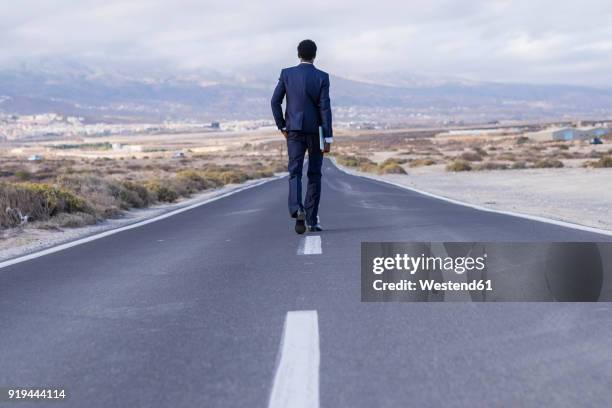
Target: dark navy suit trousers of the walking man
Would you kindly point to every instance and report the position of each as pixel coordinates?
(297, 145)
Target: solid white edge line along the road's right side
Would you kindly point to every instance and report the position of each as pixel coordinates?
(479, 207)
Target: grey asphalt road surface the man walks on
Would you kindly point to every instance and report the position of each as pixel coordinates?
(189, 311)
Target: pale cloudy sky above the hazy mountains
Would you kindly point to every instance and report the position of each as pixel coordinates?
(537, 41)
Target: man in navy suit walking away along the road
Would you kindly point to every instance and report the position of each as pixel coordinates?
(308, 108)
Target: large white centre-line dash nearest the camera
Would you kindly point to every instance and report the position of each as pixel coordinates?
(296, 381)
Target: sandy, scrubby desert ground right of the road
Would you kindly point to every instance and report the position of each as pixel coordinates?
(568, 180)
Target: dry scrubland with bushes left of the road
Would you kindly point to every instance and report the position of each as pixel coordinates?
(70, 183)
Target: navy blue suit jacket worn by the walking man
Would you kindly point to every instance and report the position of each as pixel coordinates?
(308, 105)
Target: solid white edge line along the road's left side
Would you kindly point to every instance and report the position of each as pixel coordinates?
(84, 240)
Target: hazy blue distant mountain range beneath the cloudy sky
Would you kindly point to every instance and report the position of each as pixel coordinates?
(158, 93)
